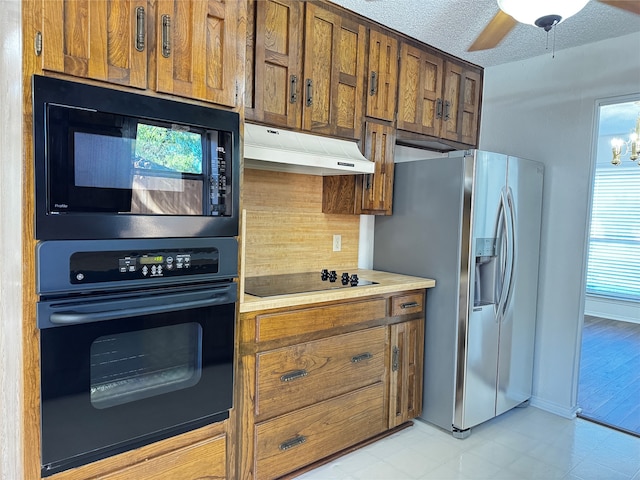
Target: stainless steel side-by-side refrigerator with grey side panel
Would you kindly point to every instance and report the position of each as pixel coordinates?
(471, 221)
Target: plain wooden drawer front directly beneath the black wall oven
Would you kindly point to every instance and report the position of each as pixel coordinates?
(205, 459)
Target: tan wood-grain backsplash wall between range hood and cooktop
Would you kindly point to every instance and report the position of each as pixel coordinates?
(285, 229)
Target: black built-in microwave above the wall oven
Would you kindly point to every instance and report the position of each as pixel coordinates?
(113, 164)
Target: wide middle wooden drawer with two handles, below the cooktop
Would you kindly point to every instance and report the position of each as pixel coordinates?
(294, 377)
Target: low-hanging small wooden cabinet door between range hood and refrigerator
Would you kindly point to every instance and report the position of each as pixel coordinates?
(376, 190)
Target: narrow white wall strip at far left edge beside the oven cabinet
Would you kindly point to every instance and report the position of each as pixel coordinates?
(10, 240)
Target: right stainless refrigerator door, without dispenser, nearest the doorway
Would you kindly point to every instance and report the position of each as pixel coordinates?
(517, 329)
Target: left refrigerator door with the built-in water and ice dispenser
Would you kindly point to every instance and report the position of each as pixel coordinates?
(478, 360)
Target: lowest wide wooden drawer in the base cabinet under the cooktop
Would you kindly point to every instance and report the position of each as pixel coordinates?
(291, 441)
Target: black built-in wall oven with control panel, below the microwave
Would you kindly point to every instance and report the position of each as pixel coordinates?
(136, 340)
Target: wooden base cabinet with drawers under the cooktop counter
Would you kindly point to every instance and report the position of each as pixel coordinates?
(308, 393)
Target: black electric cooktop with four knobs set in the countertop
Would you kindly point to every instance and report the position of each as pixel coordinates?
(270, 285)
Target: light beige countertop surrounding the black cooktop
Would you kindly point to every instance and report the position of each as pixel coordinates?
(386, 283)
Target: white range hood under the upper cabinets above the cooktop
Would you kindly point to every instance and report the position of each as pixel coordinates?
(268, 148)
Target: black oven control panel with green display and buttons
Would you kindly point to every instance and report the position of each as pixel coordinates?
(99, 266)
